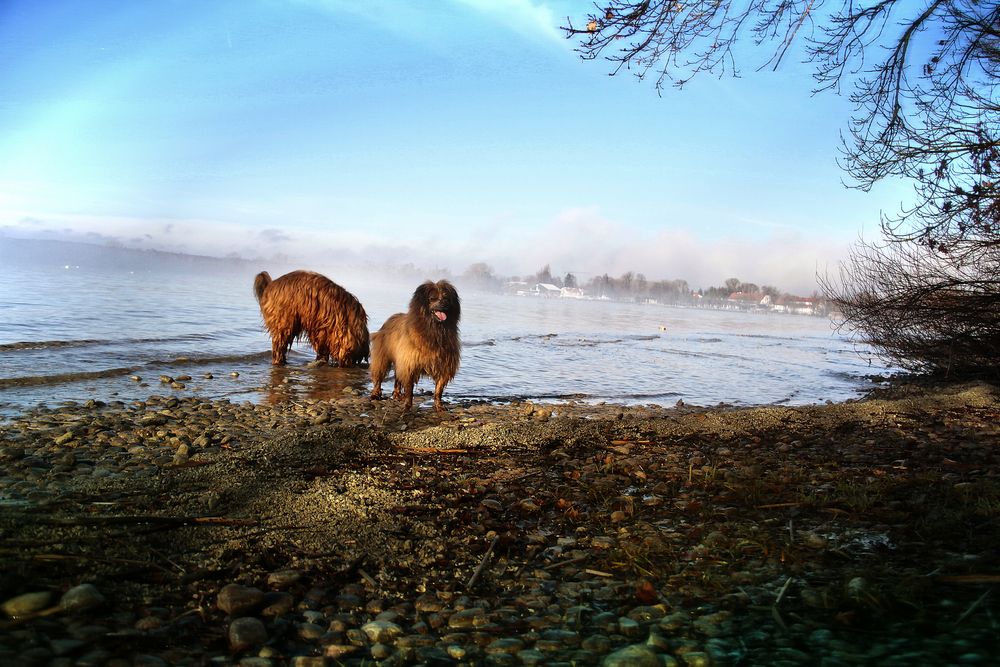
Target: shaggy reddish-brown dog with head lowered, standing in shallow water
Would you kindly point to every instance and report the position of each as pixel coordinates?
(304, 303)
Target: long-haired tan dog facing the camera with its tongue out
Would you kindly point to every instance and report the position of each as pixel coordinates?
(422, 341)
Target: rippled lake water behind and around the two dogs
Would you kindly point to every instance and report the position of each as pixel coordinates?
(77, 322)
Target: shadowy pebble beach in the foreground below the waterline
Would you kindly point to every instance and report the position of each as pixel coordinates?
(185, 531)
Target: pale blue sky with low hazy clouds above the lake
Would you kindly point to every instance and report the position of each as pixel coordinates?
(439, 134)
